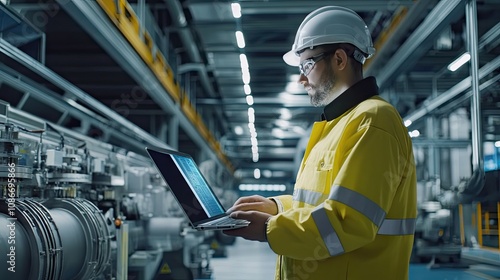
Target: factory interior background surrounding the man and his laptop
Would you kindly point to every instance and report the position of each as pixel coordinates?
(85, 86)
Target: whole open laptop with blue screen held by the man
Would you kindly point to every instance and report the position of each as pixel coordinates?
(196, 198)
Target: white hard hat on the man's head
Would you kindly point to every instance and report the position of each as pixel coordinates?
(330, 25)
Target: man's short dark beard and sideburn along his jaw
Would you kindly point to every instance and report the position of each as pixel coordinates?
(322, 93)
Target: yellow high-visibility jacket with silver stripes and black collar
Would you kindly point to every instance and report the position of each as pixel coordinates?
(353, 209)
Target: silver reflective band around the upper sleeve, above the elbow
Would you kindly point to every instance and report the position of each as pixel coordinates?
(358, 202)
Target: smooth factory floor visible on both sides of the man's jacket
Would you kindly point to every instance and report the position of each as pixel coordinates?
(247, 260)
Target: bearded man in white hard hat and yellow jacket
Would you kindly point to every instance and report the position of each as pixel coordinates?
(353, 209)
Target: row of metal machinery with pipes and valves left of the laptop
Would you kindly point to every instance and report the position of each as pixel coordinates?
(72, 207)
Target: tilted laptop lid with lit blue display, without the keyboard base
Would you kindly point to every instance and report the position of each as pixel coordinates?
(188, 185)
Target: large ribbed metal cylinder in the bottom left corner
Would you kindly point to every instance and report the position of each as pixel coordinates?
(56, 239)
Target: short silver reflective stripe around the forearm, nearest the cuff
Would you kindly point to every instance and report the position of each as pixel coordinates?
(326, 230)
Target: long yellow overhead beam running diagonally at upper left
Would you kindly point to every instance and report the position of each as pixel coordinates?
(123, 16)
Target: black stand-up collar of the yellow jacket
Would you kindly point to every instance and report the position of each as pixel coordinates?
(354, 95)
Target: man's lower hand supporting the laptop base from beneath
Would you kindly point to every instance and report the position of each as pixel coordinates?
(255, 230)
